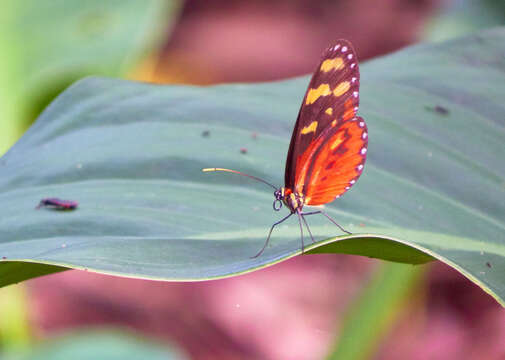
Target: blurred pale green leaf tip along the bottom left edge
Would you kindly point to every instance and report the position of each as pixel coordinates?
(96, 344)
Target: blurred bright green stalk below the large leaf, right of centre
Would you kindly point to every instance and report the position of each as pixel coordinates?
(372, 316)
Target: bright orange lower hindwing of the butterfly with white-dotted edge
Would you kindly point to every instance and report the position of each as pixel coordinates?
(332, 164)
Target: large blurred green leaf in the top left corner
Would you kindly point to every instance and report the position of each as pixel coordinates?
(47, 45)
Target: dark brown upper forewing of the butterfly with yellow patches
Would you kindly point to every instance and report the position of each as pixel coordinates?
(332, 95)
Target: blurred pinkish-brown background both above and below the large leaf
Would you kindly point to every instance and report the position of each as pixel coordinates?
(291, 310)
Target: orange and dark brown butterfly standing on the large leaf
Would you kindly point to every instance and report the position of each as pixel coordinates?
(328, 146)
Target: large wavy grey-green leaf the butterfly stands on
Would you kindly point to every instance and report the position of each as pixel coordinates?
(131, 154)
